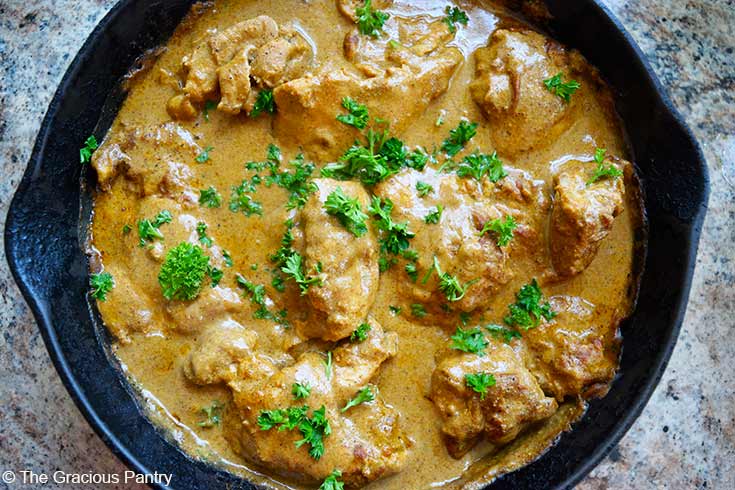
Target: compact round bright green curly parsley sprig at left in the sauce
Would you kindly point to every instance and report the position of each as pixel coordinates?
(183, 271)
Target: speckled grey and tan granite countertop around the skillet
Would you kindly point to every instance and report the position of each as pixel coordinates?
(685, 438)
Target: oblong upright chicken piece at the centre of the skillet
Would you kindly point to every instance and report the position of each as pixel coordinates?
(349, 265)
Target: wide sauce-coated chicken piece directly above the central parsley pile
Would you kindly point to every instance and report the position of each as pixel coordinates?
(397, 93)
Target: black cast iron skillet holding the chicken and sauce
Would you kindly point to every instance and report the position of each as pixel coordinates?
(45, 230)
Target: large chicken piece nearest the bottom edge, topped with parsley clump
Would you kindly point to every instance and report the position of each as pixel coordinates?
(365, 442)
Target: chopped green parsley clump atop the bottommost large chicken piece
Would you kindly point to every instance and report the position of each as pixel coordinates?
(314, 428)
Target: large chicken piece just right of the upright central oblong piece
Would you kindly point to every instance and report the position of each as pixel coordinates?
(479, 264)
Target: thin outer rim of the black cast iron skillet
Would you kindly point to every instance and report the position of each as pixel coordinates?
(38, 306)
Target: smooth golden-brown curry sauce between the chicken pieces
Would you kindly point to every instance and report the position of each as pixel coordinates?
(153, 361)
